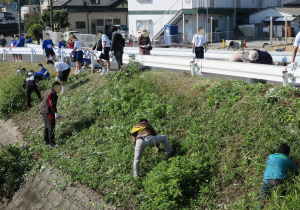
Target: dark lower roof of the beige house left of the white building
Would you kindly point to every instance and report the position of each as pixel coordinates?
(94, 9)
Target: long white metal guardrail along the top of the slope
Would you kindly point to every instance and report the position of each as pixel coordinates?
(266, 72)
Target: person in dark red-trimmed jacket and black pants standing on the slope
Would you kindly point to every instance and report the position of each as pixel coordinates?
(49, 112)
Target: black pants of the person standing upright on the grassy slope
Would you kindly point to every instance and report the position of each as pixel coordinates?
(49, 130)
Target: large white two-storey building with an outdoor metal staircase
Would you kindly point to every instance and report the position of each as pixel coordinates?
(191, 14)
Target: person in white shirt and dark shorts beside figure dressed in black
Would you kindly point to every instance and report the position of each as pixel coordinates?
(105, 53)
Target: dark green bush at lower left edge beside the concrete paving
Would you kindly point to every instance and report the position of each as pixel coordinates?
(14, 163)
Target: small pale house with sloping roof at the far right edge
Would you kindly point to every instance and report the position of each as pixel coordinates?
(261, 19)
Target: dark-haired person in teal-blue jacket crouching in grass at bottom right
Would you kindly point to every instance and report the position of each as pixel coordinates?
(276, 173)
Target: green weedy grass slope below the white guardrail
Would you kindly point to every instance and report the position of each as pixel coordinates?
(223, 132)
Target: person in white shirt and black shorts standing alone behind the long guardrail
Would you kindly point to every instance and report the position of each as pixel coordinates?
(199, 42)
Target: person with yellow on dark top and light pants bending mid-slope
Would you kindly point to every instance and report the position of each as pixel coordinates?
(143, 135)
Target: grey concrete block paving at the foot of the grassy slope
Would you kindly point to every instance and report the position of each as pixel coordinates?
(46, 189)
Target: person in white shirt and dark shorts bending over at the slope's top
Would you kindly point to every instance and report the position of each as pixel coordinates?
(63, 71)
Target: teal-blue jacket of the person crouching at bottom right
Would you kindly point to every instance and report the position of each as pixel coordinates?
(278, 166)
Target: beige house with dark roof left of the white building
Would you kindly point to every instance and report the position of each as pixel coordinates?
(88, 16)
